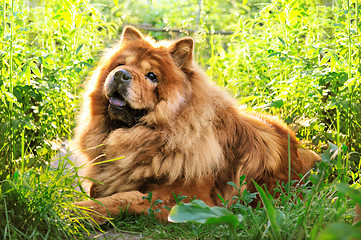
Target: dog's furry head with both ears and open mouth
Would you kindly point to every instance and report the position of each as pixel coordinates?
(144, 80)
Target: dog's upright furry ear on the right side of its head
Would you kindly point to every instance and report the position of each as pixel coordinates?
(182, 52)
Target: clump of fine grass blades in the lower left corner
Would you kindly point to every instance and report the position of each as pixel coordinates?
(35, 204)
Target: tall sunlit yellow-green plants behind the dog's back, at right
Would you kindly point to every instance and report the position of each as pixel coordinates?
(294, 58)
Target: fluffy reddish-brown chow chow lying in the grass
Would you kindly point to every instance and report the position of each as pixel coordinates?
(152, 121)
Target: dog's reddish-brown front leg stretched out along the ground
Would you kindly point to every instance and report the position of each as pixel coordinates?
(135, 202)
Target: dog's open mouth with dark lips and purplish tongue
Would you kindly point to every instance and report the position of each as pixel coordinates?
(120, 110)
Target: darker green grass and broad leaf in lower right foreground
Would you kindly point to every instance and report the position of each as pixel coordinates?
(284, 217)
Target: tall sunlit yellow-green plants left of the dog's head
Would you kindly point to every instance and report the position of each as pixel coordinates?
(42, 64)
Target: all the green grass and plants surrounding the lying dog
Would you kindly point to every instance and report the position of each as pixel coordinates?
(296, 59)
